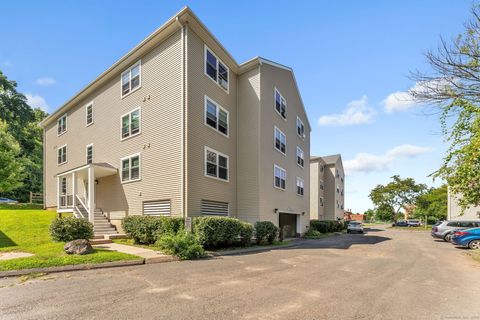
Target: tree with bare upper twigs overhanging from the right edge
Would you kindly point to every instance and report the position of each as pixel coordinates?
(453, 88)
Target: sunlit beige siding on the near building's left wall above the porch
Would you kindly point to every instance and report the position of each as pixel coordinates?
(159, 142)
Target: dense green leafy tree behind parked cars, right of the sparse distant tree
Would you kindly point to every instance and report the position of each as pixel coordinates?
(433, 203)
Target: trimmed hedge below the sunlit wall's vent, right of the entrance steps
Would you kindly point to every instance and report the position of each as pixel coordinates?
(147, 229)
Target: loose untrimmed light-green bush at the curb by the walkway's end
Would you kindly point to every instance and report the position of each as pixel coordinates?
(182, 244)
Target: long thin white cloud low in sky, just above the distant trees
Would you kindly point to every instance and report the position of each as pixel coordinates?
(367, 162)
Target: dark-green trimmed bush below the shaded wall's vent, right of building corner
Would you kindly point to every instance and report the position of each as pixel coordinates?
(217, 232)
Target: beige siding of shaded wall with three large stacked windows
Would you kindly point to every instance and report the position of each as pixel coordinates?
(199, 135)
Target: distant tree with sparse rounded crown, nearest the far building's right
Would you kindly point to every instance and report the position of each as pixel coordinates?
(394, 196)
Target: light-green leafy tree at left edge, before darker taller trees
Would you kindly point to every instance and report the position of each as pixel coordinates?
(11, 163)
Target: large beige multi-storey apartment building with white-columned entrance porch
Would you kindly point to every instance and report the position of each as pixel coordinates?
(178, 127)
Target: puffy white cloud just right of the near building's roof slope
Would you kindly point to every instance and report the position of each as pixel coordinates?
(356, 112)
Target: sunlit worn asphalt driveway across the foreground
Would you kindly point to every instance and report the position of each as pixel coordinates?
(385, 274)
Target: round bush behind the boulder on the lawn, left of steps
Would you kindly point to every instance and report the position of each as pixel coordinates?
(68, 229)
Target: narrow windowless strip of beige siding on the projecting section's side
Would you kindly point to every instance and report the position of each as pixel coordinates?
(248, 192)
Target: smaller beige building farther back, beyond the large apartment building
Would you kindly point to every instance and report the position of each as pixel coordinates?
(327, 187)
